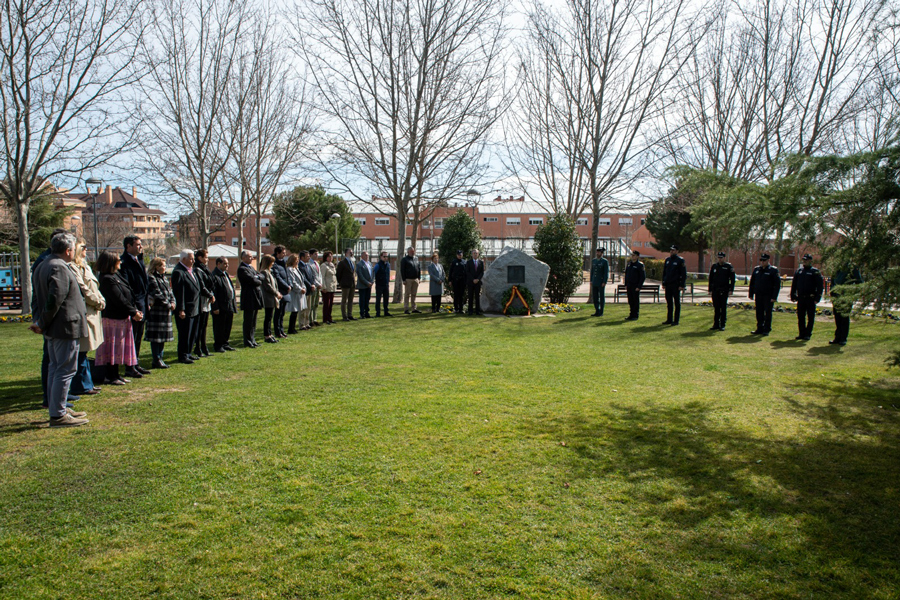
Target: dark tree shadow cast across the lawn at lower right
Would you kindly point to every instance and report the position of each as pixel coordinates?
(831, 498)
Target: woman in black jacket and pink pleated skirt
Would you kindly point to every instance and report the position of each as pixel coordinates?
(118, 338)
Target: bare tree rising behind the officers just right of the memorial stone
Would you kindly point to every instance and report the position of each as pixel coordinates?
(595, 73)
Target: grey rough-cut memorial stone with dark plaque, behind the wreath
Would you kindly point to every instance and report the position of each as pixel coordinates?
(513, 267)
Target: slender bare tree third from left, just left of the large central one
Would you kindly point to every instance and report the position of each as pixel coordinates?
(271, 117)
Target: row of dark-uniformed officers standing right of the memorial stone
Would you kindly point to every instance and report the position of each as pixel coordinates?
(807, 288)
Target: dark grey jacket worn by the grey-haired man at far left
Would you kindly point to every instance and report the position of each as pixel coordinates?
(59, 305)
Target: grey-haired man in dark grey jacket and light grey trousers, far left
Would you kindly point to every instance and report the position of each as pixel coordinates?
(59, 313)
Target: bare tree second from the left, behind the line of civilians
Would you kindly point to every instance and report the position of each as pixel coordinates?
(192, 56)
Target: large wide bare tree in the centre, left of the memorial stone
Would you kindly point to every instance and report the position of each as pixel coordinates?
(413, 87)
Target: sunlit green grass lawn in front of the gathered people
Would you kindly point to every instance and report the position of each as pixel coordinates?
(455, 457)
